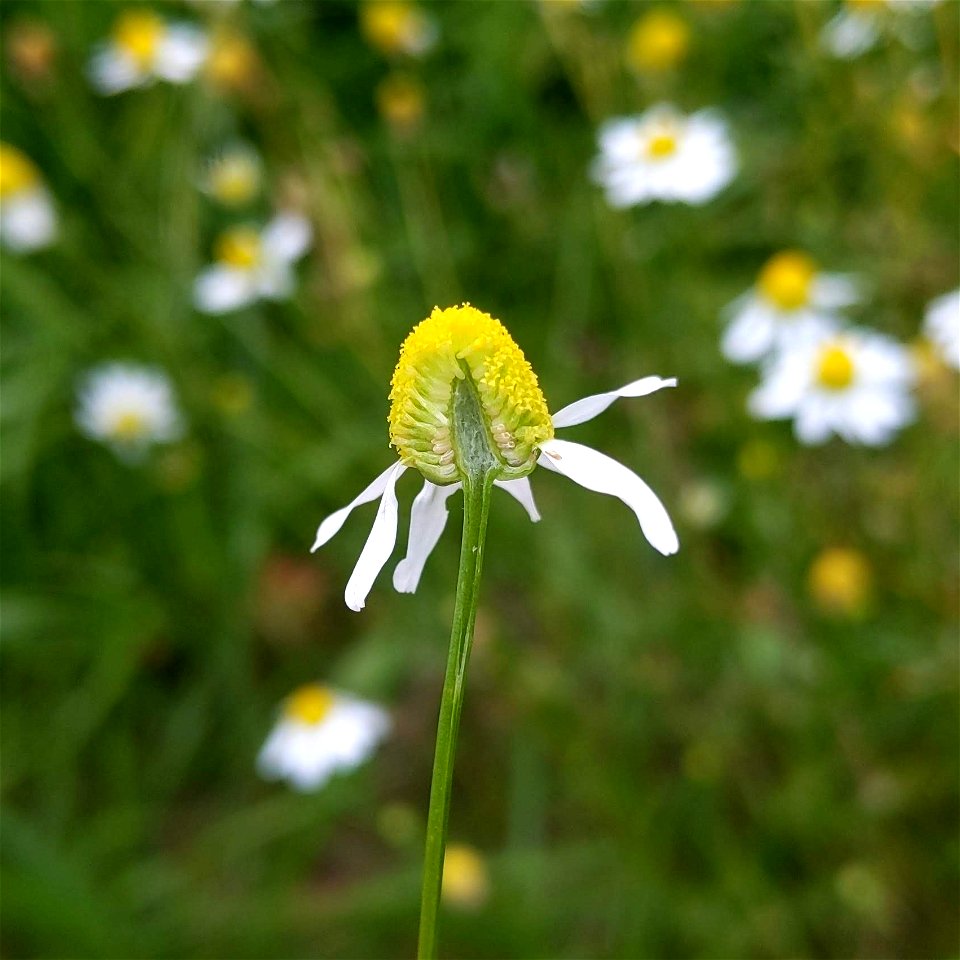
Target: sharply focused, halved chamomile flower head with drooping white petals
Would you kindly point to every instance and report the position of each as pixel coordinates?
(461, 363)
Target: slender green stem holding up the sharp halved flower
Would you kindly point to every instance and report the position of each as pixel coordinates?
(476, 507)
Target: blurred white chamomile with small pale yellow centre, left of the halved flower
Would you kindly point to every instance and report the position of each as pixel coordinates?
(128, 407)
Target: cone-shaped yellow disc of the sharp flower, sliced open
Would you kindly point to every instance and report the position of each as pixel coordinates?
(451, 346)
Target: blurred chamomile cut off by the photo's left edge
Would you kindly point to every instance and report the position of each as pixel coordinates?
(28, 220)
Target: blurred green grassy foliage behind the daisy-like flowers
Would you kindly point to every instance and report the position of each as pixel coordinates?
(729, 753)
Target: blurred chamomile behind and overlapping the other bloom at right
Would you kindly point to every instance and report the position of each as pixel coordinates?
(789, 294)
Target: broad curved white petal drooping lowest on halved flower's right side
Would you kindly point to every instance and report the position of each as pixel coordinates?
(602, 474)
